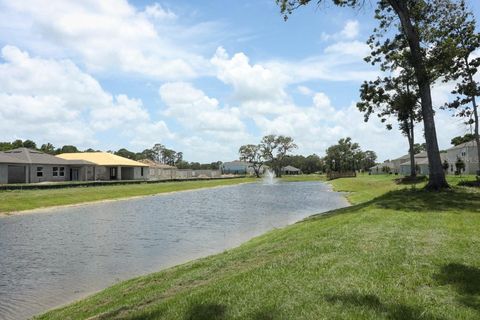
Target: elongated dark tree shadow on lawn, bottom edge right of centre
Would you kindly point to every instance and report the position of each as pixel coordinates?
(393, 311)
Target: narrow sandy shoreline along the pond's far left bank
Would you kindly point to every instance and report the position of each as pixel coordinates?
(80, 204)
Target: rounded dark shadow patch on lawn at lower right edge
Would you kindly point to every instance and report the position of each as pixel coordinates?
(465, 279)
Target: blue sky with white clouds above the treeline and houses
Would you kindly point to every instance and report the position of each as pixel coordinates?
(201, 77)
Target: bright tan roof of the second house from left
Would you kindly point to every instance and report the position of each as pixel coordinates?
(102, 159)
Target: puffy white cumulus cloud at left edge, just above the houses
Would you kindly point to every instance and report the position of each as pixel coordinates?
(55, 101)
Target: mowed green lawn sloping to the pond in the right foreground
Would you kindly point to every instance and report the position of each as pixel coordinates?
(398, 253)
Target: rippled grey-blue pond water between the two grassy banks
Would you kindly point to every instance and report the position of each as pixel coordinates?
(48, 259)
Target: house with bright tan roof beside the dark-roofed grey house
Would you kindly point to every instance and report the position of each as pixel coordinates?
(107, 166)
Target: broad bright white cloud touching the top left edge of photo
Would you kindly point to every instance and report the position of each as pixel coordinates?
(111, 36)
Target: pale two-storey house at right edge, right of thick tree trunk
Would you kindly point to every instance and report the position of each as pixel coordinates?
(467, 152)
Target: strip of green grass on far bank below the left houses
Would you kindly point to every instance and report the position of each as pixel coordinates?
(18, 200)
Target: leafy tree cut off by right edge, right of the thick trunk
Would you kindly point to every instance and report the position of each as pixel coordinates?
(460, 40)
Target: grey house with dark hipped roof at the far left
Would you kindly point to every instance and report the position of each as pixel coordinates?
(24, 165)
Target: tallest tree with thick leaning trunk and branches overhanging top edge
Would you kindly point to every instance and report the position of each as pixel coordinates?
(413, 18)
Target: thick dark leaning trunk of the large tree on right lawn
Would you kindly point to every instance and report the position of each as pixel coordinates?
(437, 179)
